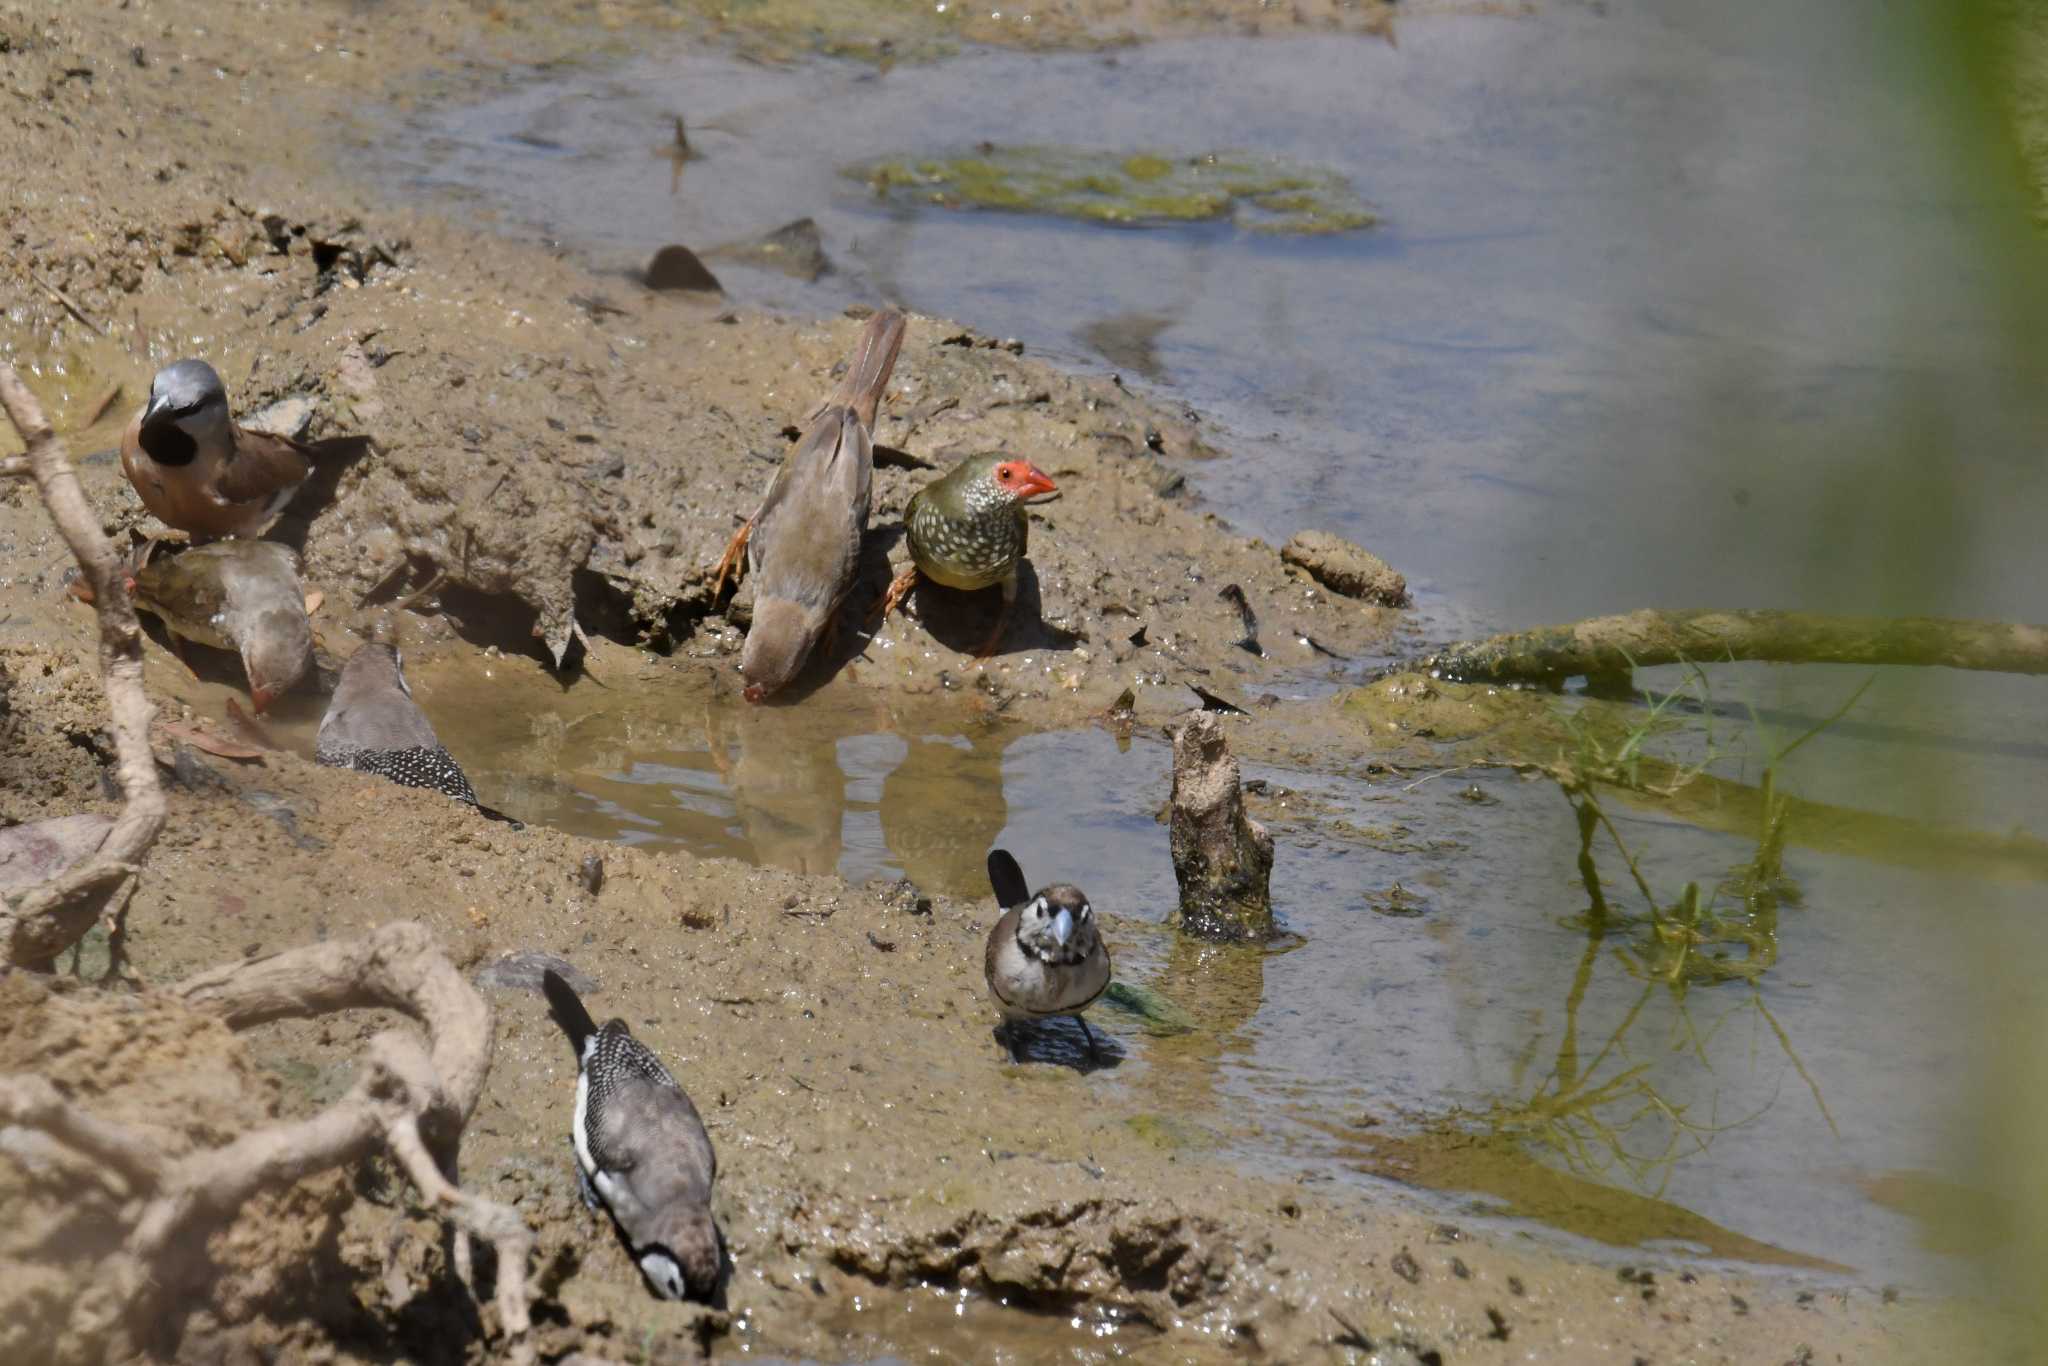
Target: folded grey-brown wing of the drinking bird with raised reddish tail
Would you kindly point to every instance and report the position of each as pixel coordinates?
(808, 533)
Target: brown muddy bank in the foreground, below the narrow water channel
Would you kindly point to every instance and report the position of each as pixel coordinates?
(878, 1150)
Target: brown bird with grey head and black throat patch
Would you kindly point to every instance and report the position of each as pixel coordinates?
(198, 470)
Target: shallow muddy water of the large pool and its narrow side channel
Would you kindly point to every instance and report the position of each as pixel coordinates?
(1660, 314)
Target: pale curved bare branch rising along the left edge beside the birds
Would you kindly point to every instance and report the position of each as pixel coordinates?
(46, 921)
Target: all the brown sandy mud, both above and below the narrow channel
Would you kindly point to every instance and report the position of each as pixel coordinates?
(548, 460)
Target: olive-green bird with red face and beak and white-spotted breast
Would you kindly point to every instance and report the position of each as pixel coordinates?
(968, 529)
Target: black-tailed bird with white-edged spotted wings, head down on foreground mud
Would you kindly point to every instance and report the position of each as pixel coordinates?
(642, 1152)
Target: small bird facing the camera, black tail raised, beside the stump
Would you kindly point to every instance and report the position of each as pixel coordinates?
(1043, 957)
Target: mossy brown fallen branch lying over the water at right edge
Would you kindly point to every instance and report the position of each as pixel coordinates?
(1609, 648)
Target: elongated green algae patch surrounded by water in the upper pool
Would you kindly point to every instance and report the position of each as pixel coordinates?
(1129, 189)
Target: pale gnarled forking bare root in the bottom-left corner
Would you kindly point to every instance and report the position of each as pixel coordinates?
(409, 1099)
